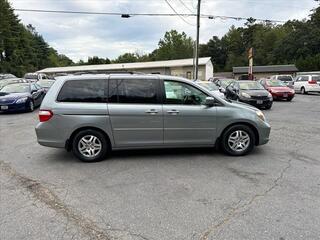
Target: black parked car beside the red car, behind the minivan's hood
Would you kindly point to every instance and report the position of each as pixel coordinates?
(250, 92)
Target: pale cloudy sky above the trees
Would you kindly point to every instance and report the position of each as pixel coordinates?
(81, 36)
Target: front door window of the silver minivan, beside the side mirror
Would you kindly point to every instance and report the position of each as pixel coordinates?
(182, 93)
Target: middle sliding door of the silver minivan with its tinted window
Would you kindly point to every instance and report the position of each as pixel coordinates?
(135, 112)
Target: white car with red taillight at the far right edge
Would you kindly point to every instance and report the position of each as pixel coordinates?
(307, 83)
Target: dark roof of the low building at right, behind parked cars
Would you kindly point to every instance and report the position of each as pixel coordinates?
(265, 69)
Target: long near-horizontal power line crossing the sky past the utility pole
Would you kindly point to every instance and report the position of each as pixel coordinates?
(176, 14)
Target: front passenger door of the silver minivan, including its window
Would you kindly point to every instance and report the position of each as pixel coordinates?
(186, 119)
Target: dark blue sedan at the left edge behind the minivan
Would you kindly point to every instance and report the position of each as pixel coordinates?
(20, 97)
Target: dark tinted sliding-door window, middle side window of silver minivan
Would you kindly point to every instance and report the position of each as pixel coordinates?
(133, 91)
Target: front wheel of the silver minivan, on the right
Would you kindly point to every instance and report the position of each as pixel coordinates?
(231, 135)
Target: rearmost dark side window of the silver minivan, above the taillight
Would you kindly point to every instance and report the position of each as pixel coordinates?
(83, 91)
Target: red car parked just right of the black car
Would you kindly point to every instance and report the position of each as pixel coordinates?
(278, 89)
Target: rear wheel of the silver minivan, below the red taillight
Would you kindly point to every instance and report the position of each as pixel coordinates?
(90, 146)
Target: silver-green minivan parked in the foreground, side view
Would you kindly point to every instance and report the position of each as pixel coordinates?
(93, 114)
